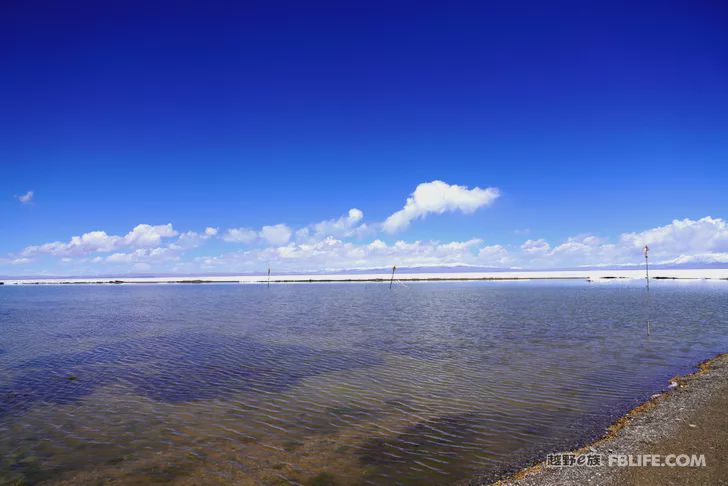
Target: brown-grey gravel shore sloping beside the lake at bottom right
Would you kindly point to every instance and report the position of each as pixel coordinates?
(690, 418)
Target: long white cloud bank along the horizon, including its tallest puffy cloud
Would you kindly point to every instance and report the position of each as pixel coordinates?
(348, 242)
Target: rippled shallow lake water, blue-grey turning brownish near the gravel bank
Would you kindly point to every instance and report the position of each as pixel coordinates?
(331, 383)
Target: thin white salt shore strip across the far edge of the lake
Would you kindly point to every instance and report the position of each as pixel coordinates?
(594, 275)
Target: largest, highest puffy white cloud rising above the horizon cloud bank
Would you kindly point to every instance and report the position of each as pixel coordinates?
(439, 197)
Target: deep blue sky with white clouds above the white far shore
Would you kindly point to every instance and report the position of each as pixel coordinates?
(599, 124)
